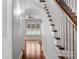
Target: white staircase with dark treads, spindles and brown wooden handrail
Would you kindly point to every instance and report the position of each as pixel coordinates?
(65, 27)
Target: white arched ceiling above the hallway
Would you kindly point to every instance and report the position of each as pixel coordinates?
(32, 7)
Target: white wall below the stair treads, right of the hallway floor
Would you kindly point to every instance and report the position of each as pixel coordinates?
(48, 41)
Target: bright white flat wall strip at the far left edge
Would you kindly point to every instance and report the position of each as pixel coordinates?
(7, 30)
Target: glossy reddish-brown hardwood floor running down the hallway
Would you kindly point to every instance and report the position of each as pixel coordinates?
(33, 50)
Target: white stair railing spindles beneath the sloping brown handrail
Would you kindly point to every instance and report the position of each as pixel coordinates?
(66, 30)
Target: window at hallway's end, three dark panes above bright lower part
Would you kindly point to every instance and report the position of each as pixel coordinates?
(33, 29)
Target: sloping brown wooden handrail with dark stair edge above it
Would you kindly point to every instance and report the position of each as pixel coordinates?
(68, 13)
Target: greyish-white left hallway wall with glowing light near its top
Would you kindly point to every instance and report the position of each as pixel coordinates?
(17, 34)
